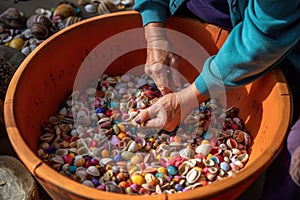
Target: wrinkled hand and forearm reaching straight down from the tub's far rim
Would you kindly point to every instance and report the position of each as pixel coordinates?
(161, 65)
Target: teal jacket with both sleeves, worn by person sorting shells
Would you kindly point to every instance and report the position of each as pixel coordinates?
(264, 33)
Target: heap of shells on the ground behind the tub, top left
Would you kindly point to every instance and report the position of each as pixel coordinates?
(26, 33)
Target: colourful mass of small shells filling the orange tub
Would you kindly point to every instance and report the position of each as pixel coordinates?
(94, 140)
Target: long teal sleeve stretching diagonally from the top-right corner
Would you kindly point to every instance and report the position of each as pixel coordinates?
(269, 31)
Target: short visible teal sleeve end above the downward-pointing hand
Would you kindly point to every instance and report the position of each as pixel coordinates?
(152, 11)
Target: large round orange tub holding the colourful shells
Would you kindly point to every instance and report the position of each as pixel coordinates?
(47, 75)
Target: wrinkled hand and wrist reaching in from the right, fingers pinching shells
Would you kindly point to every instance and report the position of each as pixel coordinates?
(170, 109)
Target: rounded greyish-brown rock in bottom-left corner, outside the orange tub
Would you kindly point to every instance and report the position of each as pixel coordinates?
(16, 182)
